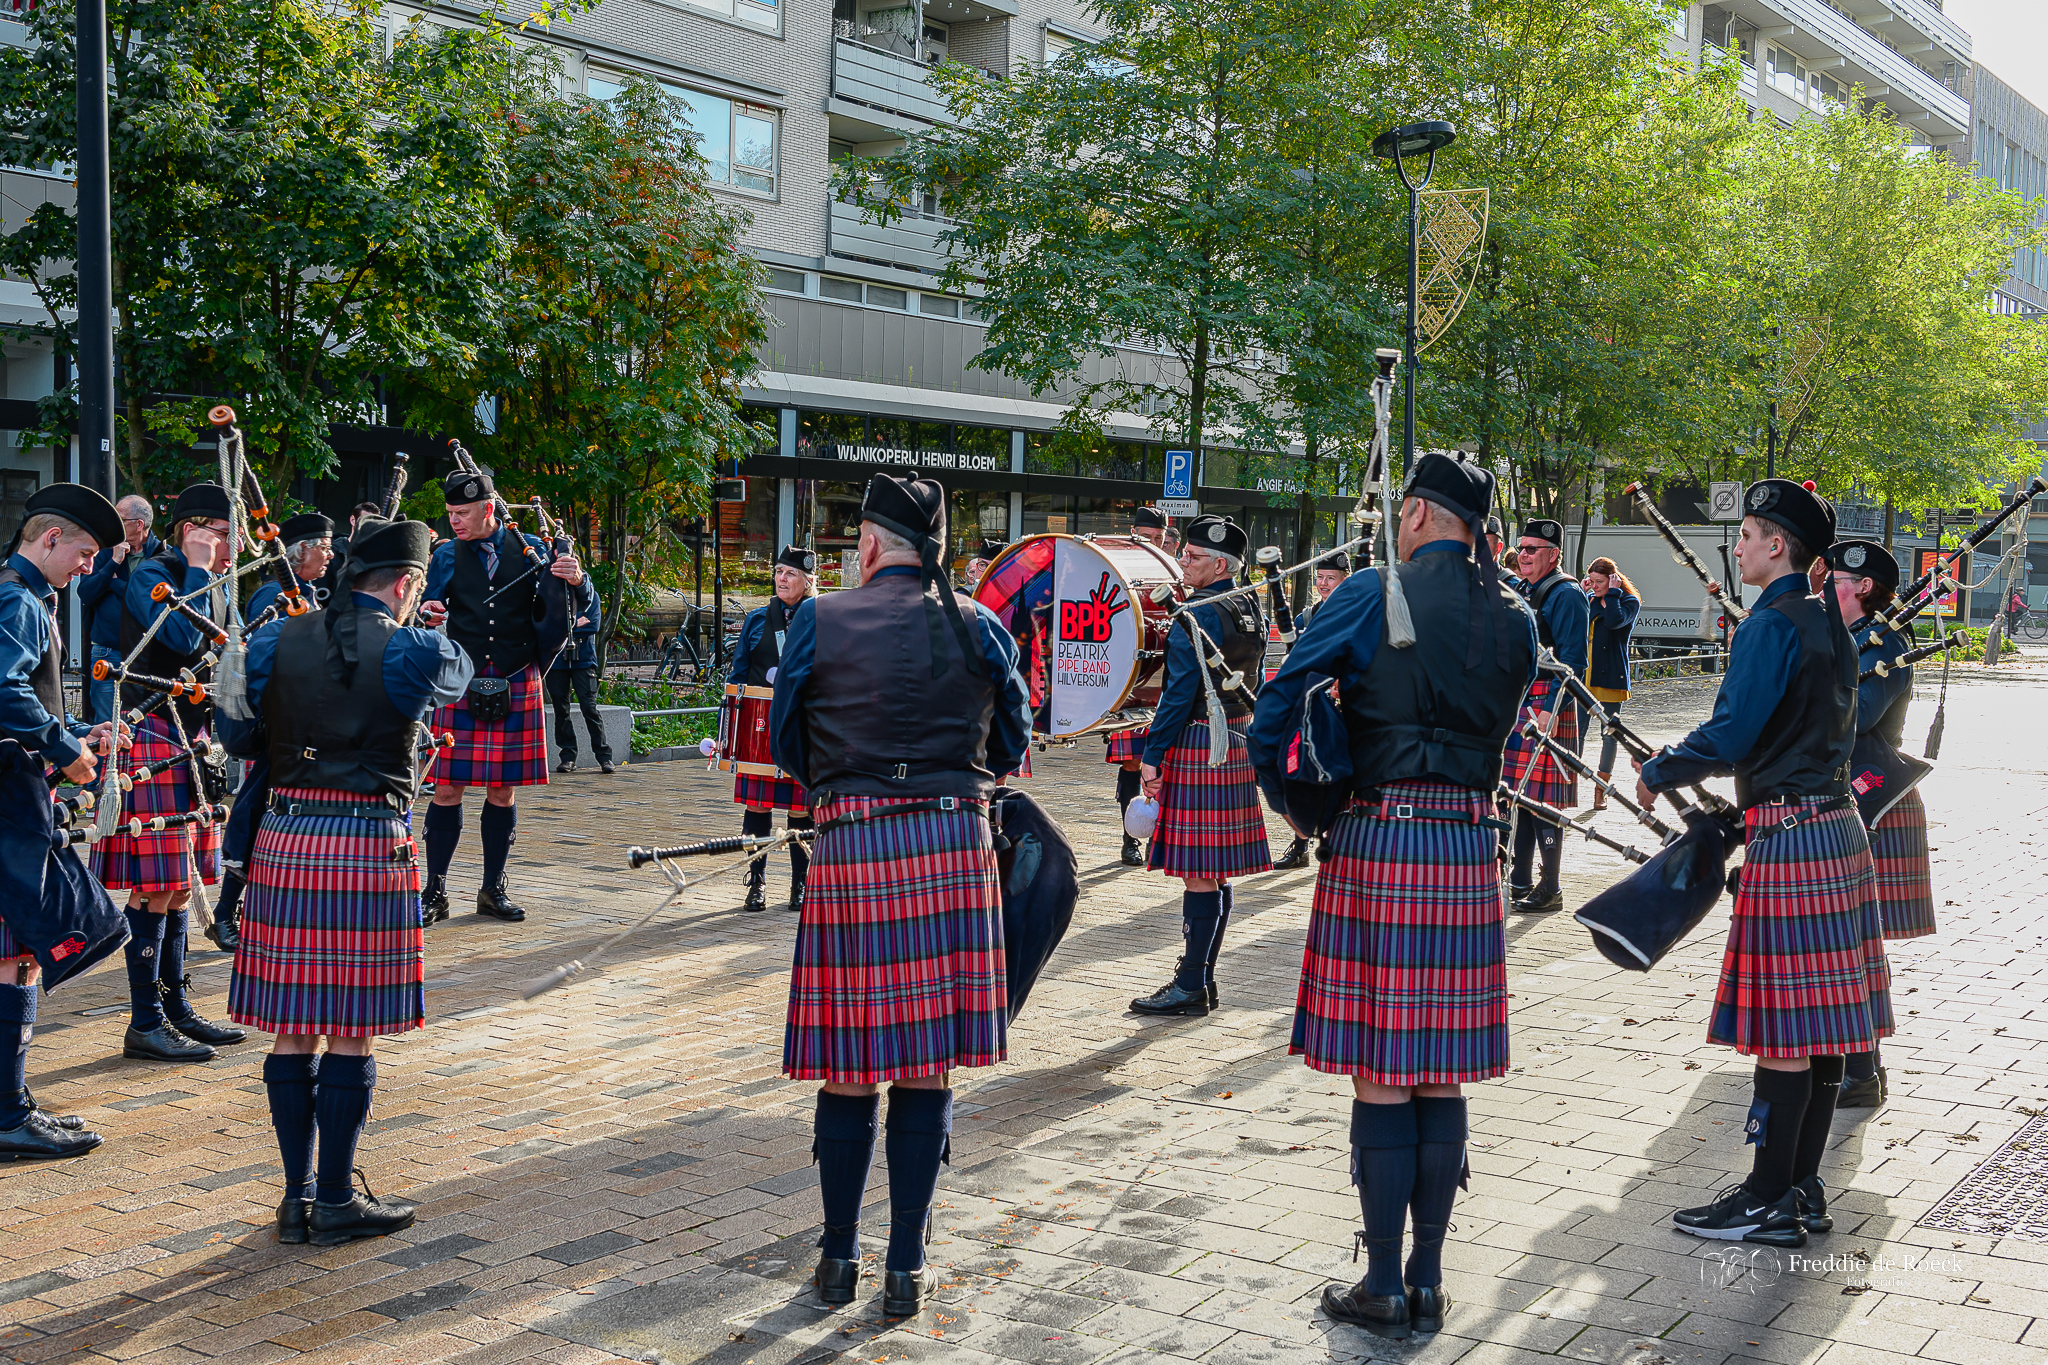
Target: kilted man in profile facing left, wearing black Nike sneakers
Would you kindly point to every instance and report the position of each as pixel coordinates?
(1803, 981)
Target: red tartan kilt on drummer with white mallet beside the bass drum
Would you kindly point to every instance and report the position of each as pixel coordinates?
(1211, 822)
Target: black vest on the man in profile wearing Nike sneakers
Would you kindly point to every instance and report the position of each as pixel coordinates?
(1805, 746)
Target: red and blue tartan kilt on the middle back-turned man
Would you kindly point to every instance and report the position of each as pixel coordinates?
(900, 951)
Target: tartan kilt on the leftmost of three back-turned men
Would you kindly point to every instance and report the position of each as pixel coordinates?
(331, 924)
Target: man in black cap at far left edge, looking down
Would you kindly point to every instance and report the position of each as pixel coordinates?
(65, 527)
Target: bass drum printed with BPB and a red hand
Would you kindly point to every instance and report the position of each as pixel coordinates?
(1091, 637)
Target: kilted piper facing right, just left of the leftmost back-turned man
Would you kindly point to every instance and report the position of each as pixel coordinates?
(159, 867)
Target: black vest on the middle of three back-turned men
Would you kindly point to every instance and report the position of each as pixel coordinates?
(873, 709)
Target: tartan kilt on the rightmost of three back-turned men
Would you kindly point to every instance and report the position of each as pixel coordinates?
(1406, 973)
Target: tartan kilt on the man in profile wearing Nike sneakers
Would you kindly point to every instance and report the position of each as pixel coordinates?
(1805, 967)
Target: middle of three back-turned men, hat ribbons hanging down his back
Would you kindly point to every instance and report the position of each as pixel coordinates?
(900, 951)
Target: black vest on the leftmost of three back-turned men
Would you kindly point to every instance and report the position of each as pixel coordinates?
(337, 736)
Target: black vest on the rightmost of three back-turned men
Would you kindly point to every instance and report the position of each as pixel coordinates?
(1420, 713)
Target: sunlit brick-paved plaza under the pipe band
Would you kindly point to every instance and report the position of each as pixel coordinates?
(620, 1172)
